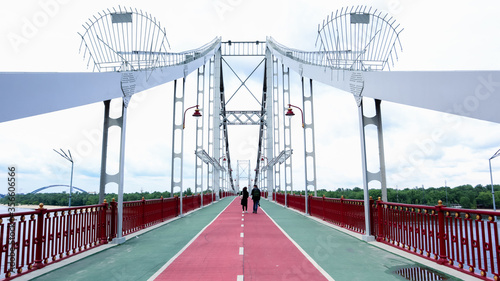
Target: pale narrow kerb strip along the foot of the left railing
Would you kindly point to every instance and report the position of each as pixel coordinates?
(93, 251)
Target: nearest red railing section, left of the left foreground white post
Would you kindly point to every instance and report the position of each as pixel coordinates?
(45, 236)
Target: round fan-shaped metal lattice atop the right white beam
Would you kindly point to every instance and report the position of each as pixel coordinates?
(358, 38)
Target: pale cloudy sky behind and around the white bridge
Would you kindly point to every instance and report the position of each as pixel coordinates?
(41, 36)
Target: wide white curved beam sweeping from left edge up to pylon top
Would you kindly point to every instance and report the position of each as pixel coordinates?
(29, 94)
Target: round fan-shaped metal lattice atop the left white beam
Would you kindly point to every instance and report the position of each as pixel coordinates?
(125, 40)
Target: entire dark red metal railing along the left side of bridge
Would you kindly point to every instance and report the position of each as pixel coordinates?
(45, 236)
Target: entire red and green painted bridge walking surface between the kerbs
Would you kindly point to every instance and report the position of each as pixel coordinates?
(211, 256)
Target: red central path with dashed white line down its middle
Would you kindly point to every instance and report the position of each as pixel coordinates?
(216, 255)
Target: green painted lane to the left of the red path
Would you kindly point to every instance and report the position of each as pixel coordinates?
(140, 256)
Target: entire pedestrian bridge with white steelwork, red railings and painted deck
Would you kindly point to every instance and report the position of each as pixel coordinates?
(326, 238)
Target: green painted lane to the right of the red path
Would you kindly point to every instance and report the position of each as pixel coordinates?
(344, 257)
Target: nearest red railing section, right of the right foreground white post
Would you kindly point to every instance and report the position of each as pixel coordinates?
(467, 240)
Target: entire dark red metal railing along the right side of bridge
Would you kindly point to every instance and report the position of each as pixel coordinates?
(467, 240)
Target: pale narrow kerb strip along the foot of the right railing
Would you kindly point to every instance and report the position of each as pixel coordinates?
(394, 250)
